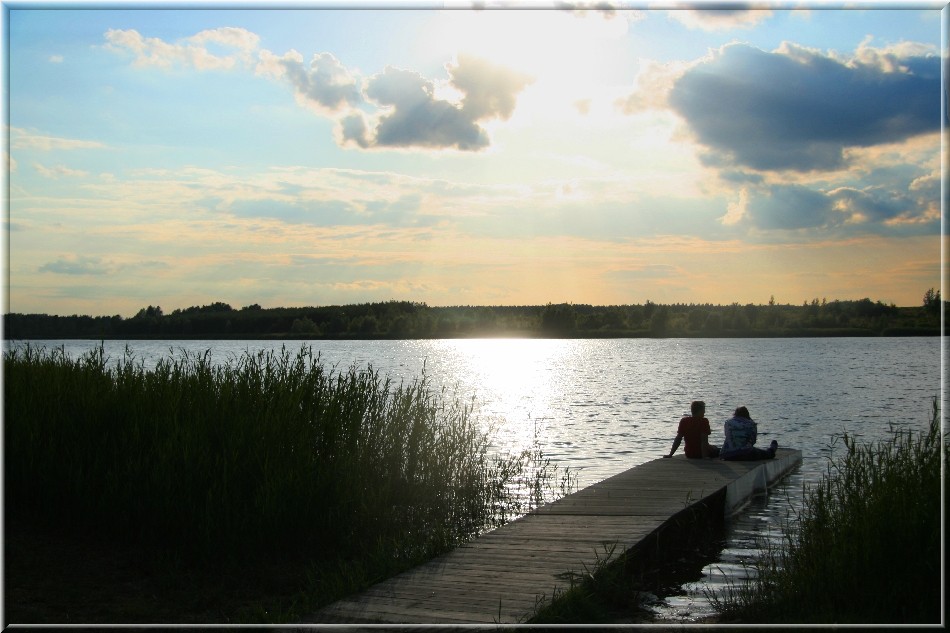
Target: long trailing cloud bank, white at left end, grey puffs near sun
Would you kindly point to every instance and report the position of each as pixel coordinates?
(407, 112)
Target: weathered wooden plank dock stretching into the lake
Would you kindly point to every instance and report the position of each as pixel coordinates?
(503, 576)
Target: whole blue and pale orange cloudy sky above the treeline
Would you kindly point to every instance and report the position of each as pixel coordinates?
(305, 156)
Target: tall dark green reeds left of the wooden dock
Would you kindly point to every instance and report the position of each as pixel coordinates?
(271, 460)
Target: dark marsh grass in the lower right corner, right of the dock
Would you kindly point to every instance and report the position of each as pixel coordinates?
(866, 546)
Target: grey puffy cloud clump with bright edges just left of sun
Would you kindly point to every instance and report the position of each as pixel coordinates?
(419, 119)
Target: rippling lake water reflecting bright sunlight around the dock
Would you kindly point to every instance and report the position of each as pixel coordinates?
(600, 407)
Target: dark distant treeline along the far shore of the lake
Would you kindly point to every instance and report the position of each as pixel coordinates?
(411, 320)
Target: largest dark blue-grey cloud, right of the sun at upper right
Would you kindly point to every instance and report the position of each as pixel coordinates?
(798, 109)
